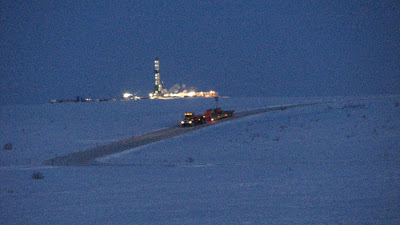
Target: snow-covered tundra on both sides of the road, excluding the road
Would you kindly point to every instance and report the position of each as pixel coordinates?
(331, 163)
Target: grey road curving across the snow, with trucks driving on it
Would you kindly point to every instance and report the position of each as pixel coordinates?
(87, 157)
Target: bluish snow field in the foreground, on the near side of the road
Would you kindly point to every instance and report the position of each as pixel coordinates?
(328, 164)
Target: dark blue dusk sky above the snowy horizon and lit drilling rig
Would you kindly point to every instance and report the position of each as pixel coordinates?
(100, 49)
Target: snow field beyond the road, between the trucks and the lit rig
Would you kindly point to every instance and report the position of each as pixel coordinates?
(41, 132)
